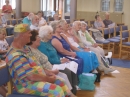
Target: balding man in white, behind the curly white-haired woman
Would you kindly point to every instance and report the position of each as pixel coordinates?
(35, 23)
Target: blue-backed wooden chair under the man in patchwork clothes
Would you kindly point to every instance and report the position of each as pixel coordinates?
(5, 78)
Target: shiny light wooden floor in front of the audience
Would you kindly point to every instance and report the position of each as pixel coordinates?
(113, 85)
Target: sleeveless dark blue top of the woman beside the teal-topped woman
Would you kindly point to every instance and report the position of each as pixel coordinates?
(65, 45)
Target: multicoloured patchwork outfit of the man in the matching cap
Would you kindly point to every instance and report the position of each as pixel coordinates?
(22, 64)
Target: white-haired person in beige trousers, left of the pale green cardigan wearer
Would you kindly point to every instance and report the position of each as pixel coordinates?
(77, 36)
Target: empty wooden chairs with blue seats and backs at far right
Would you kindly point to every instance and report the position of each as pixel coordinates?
(117, 36)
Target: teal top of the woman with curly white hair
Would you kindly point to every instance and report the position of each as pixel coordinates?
(50, 52)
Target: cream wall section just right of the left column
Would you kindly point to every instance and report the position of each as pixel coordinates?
(30, 5)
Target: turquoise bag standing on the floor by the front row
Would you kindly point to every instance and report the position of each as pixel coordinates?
(86, 81)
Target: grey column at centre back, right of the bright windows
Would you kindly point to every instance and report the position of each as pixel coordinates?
(73, 10)
